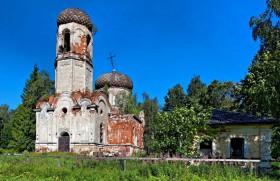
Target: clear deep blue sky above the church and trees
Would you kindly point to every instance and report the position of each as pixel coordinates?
(158, 43)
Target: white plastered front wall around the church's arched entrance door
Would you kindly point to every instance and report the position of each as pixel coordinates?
(80, 125)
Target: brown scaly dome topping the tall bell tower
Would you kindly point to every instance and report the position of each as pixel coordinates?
(74, 15)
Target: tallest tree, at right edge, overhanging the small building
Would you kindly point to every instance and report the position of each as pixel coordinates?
(260, 89)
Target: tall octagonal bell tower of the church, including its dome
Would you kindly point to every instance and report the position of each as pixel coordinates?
(74, 46)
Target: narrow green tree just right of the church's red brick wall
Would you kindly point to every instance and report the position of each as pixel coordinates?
(150, 108)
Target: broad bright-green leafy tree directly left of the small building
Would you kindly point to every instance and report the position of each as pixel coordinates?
(181, 130)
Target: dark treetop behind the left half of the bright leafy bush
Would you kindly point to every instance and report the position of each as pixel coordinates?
(174, 98)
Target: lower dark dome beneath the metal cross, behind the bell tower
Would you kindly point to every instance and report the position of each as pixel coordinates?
(114, 79)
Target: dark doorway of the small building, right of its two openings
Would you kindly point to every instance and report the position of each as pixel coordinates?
(236, 148)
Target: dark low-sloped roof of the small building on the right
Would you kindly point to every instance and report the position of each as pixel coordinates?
(221, 117)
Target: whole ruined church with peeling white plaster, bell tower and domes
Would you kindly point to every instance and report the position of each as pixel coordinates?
(78, 119)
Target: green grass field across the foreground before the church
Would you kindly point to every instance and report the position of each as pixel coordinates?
(48, 168)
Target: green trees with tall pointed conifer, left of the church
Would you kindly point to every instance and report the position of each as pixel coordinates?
(17, 127)
